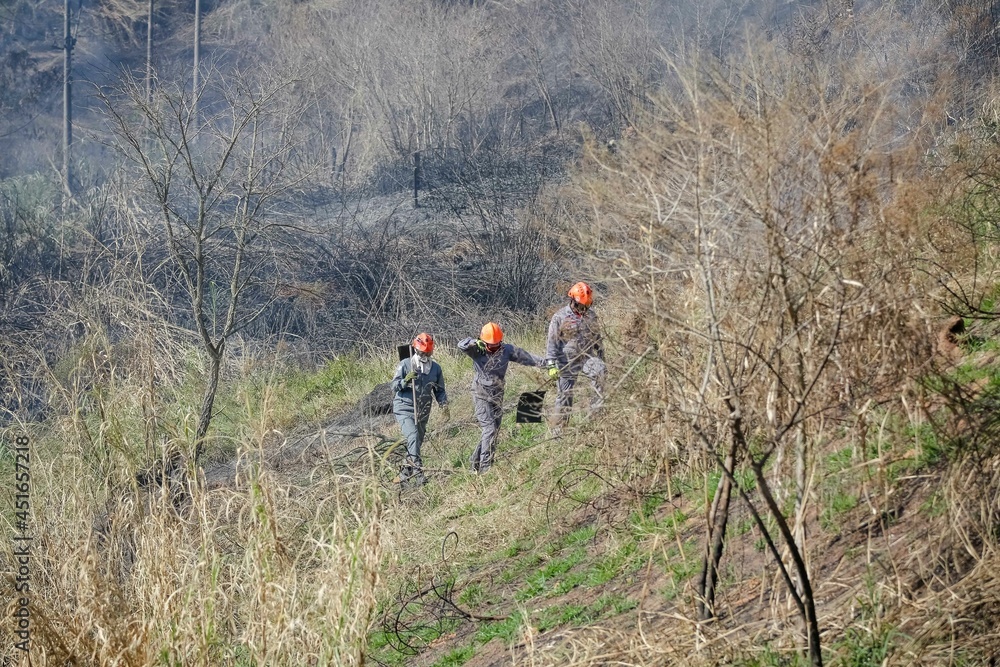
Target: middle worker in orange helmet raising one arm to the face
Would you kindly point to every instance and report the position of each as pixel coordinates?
(490, 358)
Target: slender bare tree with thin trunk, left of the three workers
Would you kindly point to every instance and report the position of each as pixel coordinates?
(216, 200)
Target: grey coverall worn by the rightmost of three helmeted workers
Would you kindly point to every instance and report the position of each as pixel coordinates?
(574, 343)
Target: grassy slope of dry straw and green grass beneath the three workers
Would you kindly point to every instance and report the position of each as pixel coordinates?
(553, 554)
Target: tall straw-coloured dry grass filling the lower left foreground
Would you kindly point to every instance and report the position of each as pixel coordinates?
(269, 570)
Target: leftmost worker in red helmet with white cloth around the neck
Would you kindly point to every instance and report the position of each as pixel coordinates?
(417, 379)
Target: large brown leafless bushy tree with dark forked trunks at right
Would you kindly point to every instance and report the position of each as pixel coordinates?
(765, 232)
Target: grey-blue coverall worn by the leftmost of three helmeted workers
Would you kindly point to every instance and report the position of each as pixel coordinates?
(414, 426)
